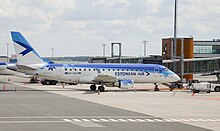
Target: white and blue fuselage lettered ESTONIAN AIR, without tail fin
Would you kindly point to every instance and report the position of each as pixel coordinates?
(87, 73)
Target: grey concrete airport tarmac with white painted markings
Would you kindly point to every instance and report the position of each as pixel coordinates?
(35, 107)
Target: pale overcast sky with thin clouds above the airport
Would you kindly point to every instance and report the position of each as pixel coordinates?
(80, 27)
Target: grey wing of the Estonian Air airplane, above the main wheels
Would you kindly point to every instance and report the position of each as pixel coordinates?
(105, 78)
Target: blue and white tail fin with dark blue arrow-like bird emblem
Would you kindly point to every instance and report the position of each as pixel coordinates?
(26, 55)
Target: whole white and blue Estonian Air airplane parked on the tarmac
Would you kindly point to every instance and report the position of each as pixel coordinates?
(112, 75)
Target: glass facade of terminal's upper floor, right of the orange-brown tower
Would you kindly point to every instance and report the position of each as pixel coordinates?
(205, 49)
